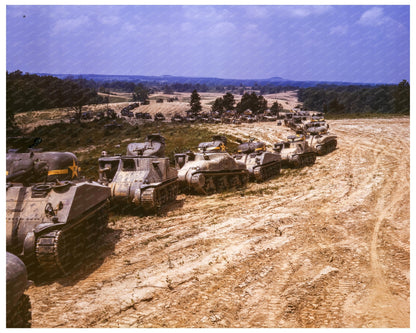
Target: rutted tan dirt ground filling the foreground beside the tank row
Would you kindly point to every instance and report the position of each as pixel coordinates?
(324, 246)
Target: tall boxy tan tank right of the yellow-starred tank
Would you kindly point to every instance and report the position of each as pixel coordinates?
(143, 177)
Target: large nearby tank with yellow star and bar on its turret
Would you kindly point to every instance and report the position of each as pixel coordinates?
(52, 215)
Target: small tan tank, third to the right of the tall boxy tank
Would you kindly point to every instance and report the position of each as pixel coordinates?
(295, 152)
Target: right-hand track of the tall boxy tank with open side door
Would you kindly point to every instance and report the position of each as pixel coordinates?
(156, 197)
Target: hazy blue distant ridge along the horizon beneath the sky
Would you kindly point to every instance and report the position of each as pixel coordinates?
(169, 79)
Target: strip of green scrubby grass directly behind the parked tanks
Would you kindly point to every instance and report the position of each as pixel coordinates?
(87, 140)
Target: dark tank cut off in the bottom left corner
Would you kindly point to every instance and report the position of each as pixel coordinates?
(18, 307)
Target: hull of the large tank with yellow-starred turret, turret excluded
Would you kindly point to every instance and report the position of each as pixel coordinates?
(50, 225)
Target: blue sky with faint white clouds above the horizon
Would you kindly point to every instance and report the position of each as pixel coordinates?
(350, 43)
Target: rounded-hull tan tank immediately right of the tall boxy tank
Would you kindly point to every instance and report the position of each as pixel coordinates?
(211, 169)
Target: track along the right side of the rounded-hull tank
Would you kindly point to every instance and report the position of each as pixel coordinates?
(216, 183)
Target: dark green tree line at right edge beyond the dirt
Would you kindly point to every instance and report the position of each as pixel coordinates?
(333, 99)
